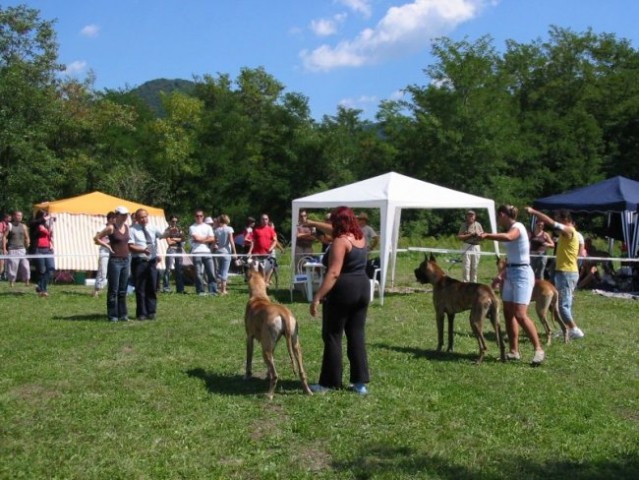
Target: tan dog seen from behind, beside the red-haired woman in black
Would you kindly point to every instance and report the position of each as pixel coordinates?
(266, 322)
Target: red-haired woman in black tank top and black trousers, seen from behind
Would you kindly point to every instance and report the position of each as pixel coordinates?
(345, 293)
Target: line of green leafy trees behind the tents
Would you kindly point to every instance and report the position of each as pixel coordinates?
(528, 121)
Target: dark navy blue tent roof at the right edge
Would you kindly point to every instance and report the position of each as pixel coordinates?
(616, 194)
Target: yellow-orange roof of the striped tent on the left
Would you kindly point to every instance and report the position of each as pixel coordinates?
(95, 203)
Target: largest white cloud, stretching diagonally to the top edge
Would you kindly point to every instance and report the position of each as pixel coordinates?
(403, 30)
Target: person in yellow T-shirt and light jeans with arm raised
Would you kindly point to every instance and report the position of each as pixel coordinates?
(566, 269)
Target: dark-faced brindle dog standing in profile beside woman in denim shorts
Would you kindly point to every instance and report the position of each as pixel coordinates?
(451, 296)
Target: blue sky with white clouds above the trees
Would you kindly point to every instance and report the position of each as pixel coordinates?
(354, 53)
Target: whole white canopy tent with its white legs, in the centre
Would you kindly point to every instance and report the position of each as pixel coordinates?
(391, 193)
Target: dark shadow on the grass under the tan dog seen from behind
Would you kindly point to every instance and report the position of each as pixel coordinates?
(232, 384)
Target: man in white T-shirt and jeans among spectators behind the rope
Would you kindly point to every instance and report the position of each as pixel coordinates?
(202, 237)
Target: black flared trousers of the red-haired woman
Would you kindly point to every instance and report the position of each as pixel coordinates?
(344, 311)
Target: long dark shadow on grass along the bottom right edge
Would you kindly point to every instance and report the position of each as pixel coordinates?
(380, 460)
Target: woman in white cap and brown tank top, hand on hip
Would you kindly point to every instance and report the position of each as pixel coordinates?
(118, 269)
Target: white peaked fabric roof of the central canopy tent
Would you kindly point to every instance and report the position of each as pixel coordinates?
(397, 189)
